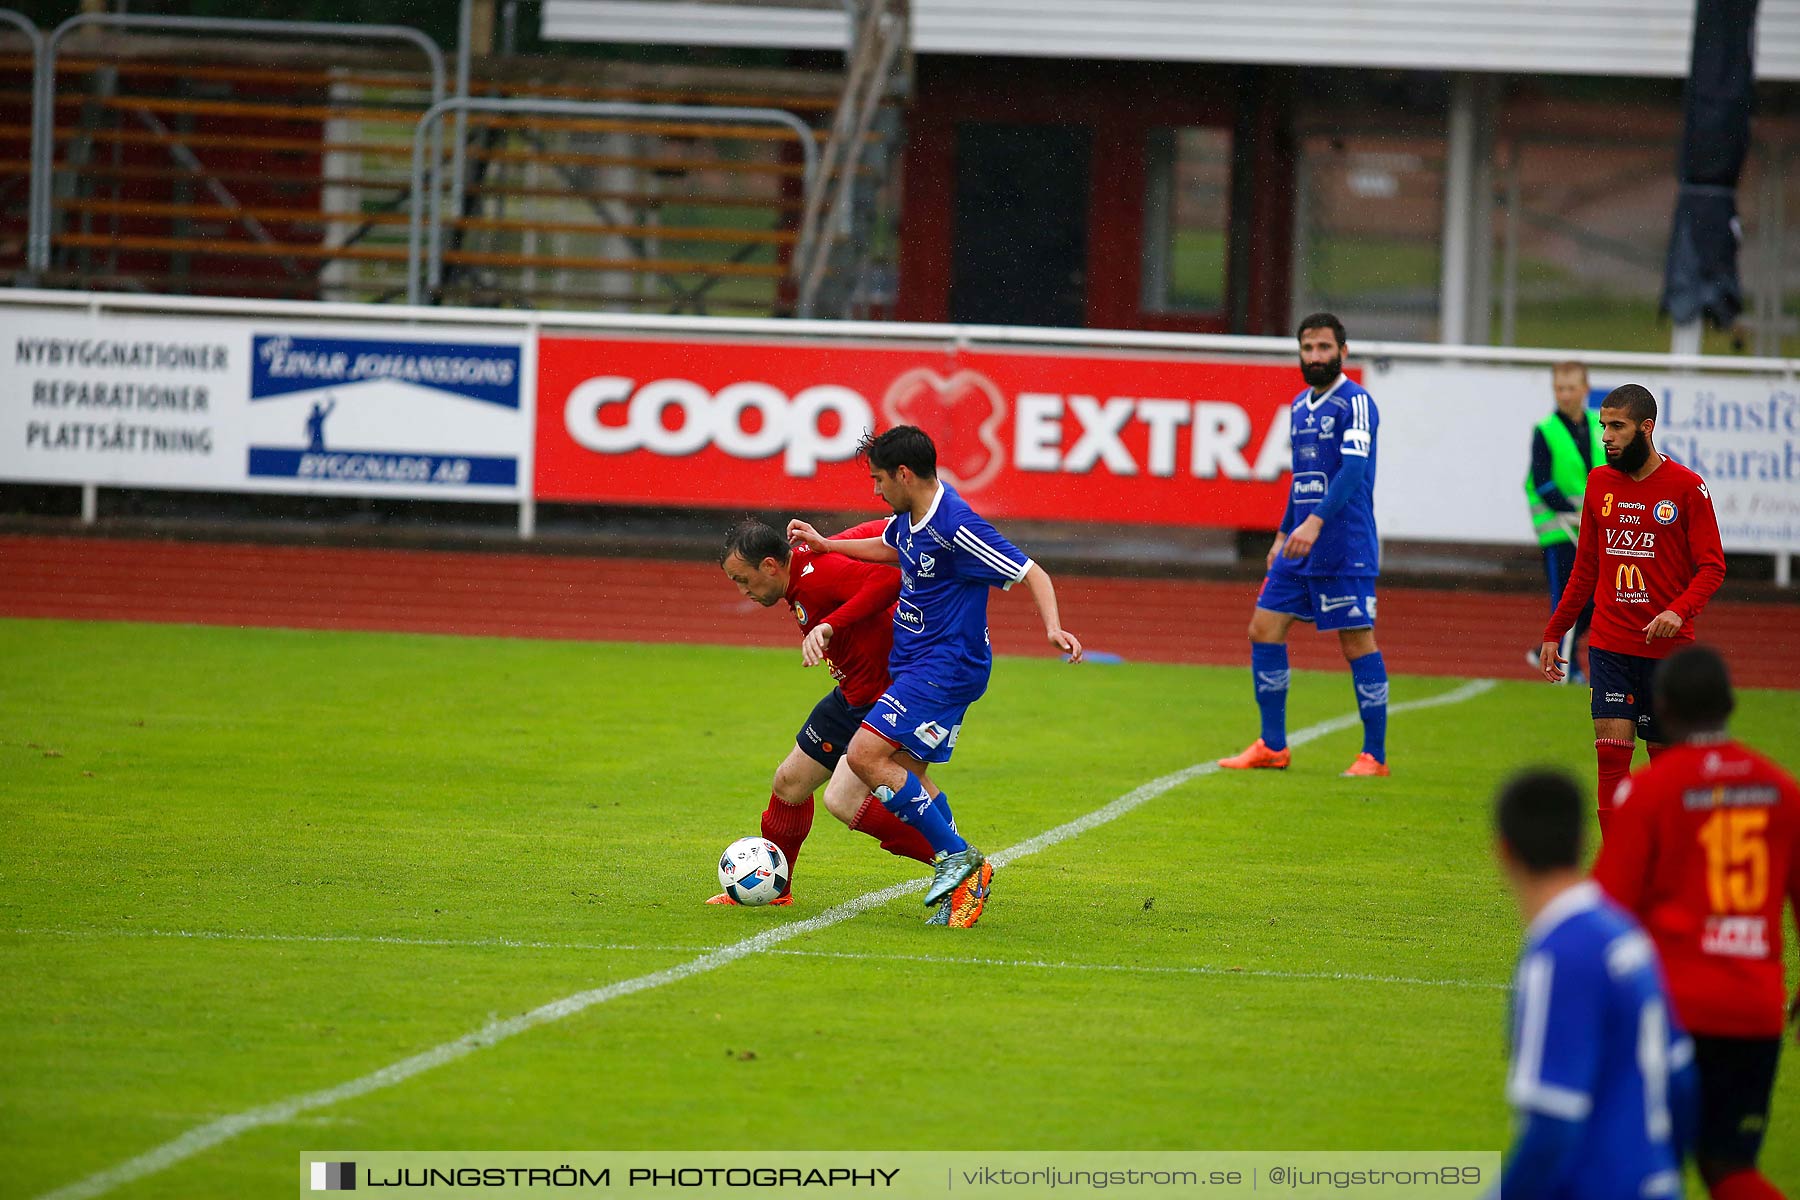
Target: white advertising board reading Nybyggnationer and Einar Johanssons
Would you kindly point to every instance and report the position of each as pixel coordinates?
(267, 406)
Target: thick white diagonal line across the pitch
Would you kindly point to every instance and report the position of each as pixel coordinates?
(204, 1138)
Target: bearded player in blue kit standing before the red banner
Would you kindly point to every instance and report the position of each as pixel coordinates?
(1326, 555)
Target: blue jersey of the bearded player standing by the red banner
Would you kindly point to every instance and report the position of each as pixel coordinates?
(1326, 431)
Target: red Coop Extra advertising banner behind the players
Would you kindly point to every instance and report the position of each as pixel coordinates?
(1052, 436)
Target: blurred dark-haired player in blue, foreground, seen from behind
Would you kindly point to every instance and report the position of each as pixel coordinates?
(1603, 1077)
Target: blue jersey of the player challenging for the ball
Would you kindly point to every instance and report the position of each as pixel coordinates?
(948, 564)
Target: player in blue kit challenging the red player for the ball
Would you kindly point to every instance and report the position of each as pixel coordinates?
(949, 560)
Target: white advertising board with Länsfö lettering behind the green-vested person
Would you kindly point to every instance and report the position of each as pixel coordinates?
(1457, 440)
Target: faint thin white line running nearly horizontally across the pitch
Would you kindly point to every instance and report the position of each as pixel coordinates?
(858, 956)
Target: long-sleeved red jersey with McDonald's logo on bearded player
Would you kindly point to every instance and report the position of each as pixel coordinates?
(1646, 546)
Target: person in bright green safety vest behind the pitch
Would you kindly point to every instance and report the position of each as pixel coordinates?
(1565, 447)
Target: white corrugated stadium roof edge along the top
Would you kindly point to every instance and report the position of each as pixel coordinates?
(1646, 39)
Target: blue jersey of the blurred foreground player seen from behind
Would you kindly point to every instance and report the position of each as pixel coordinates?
(1596, 1043)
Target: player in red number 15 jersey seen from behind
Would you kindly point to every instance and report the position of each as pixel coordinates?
(1704, 852)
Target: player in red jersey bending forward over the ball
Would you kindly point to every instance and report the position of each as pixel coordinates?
(845, 609)
